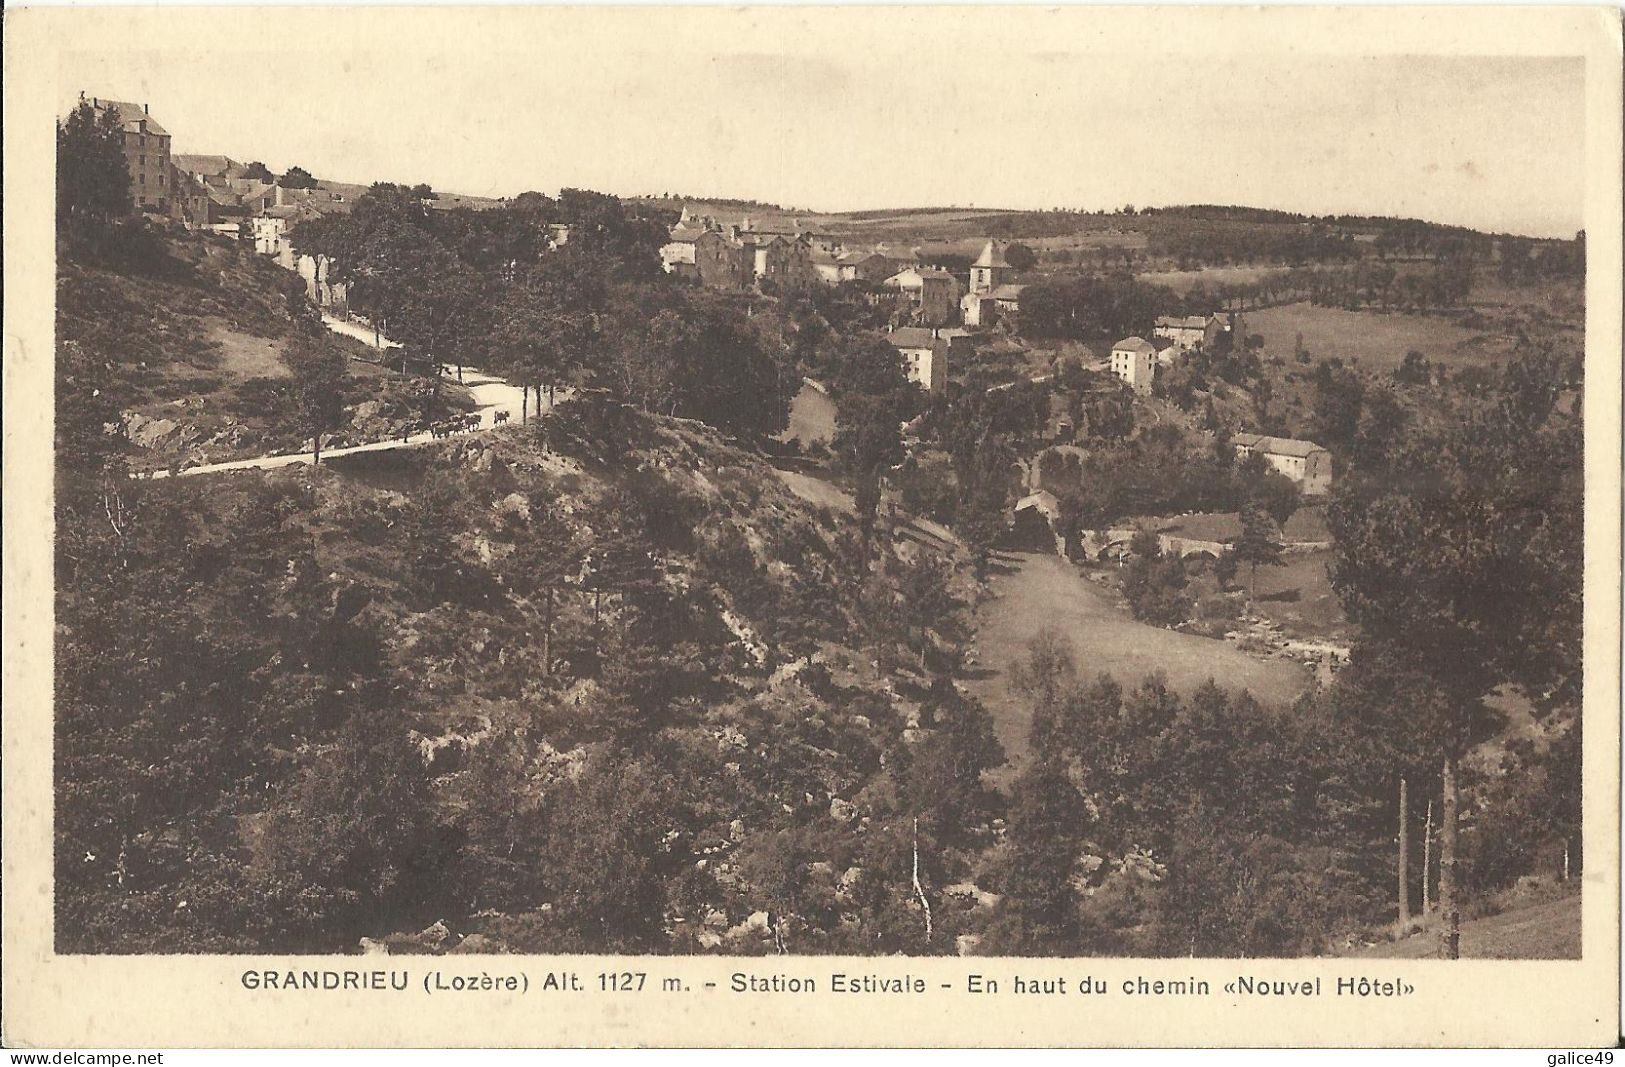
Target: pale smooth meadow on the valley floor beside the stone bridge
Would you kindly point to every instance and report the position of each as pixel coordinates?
(1044, 592)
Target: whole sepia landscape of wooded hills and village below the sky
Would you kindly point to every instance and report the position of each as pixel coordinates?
(782, 576)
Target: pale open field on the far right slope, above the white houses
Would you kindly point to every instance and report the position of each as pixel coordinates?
(1377, 340)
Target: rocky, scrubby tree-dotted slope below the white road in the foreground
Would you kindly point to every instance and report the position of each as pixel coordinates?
(594, 696)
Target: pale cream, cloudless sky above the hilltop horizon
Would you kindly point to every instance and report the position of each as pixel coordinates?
(792, 113)
